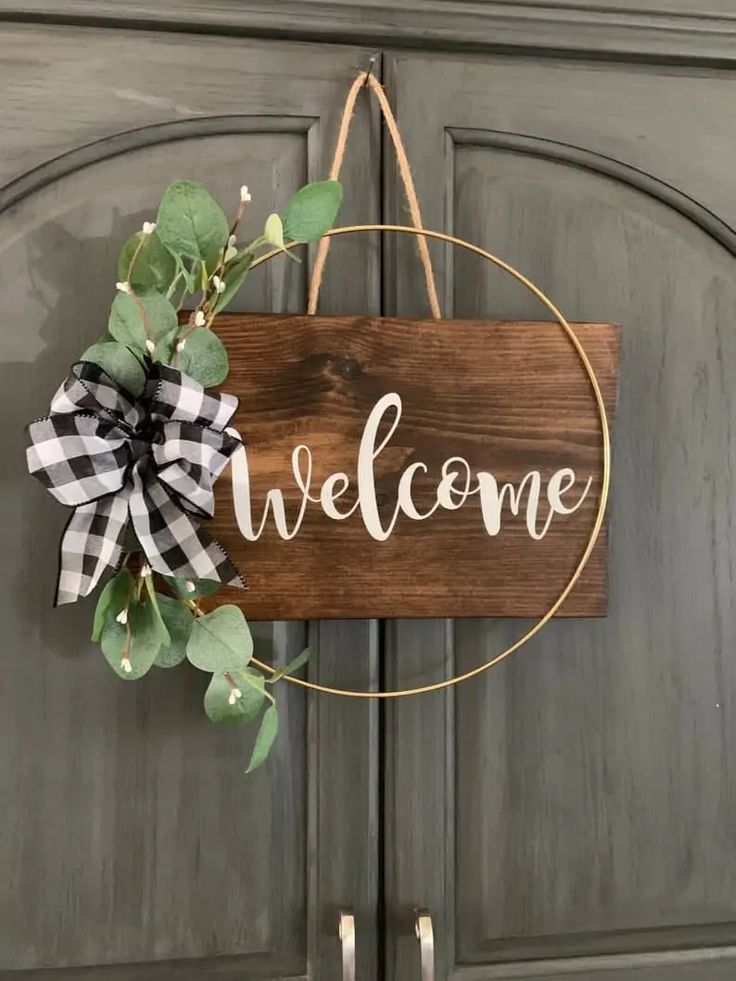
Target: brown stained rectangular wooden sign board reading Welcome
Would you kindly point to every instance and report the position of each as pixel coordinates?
(490, 428)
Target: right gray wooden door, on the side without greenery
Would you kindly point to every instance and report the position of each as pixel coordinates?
(571, 814)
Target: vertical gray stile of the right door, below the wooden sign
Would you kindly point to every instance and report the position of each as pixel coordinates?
(419, 816)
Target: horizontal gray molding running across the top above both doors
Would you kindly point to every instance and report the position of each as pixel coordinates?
(588, 28)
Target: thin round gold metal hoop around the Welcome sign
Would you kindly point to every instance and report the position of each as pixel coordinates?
(605, 480)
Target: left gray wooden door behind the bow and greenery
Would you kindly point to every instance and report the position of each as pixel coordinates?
(133, 846)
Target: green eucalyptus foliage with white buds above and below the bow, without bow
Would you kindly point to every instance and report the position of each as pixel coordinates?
(190, 253)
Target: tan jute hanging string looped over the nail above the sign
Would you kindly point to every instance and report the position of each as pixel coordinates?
(368, 80)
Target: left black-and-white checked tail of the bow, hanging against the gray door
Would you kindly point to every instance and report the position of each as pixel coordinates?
(91, 544)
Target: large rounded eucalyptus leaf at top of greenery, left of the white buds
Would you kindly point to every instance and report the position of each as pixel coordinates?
(190, 222)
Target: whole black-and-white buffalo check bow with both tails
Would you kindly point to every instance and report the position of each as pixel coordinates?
(150, 463)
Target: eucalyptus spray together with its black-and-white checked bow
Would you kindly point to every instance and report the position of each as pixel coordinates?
(134, 442)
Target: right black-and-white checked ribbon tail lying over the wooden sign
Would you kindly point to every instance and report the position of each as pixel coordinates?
(173, 543)
